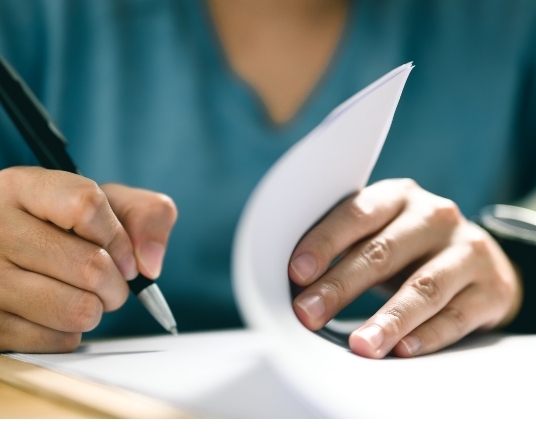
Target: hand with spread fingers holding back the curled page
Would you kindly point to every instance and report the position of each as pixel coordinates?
(455, 278)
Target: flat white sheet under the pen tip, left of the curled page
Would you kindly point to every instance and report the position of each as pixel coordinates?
(217, 374)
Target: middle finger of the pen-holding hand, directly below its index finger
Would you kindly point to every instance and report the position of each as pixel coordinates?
(43, 248)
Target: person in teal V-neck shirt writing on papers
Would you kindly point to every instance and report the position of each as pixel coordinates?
(190, 102)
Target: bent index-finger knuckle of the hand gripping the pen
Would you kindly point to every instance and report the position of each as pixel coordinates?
(87, 200)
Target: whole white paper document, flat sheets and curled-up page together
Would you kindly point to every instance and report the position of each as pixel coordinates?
(278, 368)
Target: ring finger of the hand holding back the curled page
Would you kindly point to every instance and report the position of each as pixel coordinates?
(423, 295)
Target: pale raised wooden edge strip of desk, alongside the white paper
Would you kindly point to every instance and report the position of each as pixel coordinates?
(97, 400)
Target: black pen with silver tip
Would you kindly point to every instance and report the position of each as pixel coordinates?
(49, 146)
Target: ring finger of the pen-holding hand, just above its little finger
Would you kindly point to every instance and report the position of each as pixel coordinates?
(48, 302)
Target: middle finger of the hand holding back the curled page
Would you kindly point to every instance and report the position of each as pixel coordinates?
(373, 261)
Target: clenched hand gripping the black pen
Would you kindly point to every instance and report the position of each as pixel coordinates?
(55, 284)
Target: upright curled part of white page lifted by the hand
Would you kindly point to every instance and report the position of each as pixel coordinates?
(334, 160)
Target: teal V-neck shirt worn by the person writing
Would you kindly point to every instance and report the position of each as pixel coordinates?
(144, 94)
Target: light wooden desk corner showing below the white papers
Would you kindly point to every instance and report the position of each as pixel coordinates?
(27, 391)
